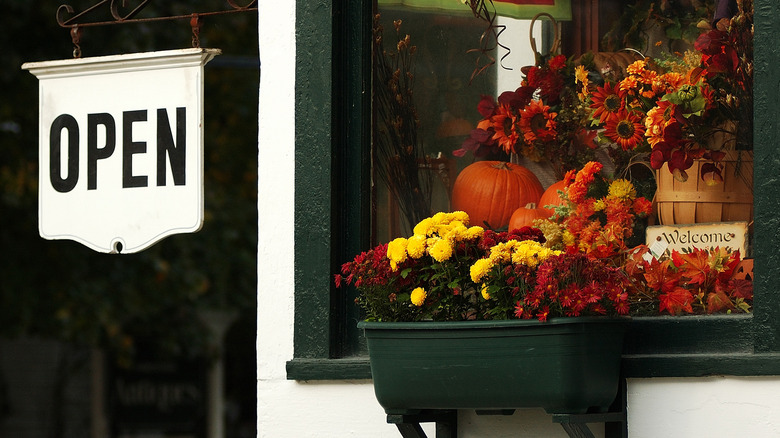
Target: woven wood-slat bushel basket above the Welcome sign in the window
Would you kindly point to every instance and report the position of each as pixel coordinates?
(693, 201)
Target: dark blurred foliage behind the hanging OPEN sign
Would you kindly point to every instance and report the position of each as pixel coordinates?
(63, 290)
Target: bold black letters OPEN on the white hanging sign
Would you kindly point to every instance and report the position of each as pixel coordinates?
(66, 126)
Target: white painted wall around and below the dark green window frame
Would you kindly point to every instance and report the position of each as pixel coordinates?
(711, 407)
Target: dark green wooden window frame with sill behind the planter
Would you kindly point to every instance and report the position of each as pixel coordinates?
(332, 208)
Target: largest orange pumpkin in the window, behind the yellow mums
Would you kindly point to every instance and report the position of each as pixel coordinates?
(490, 191)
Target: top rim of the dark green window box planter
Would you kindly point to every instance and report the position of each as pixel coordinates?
(489, 324)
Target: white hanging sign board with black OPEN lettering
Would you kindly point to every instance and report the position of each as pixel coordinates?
(121, 148)
